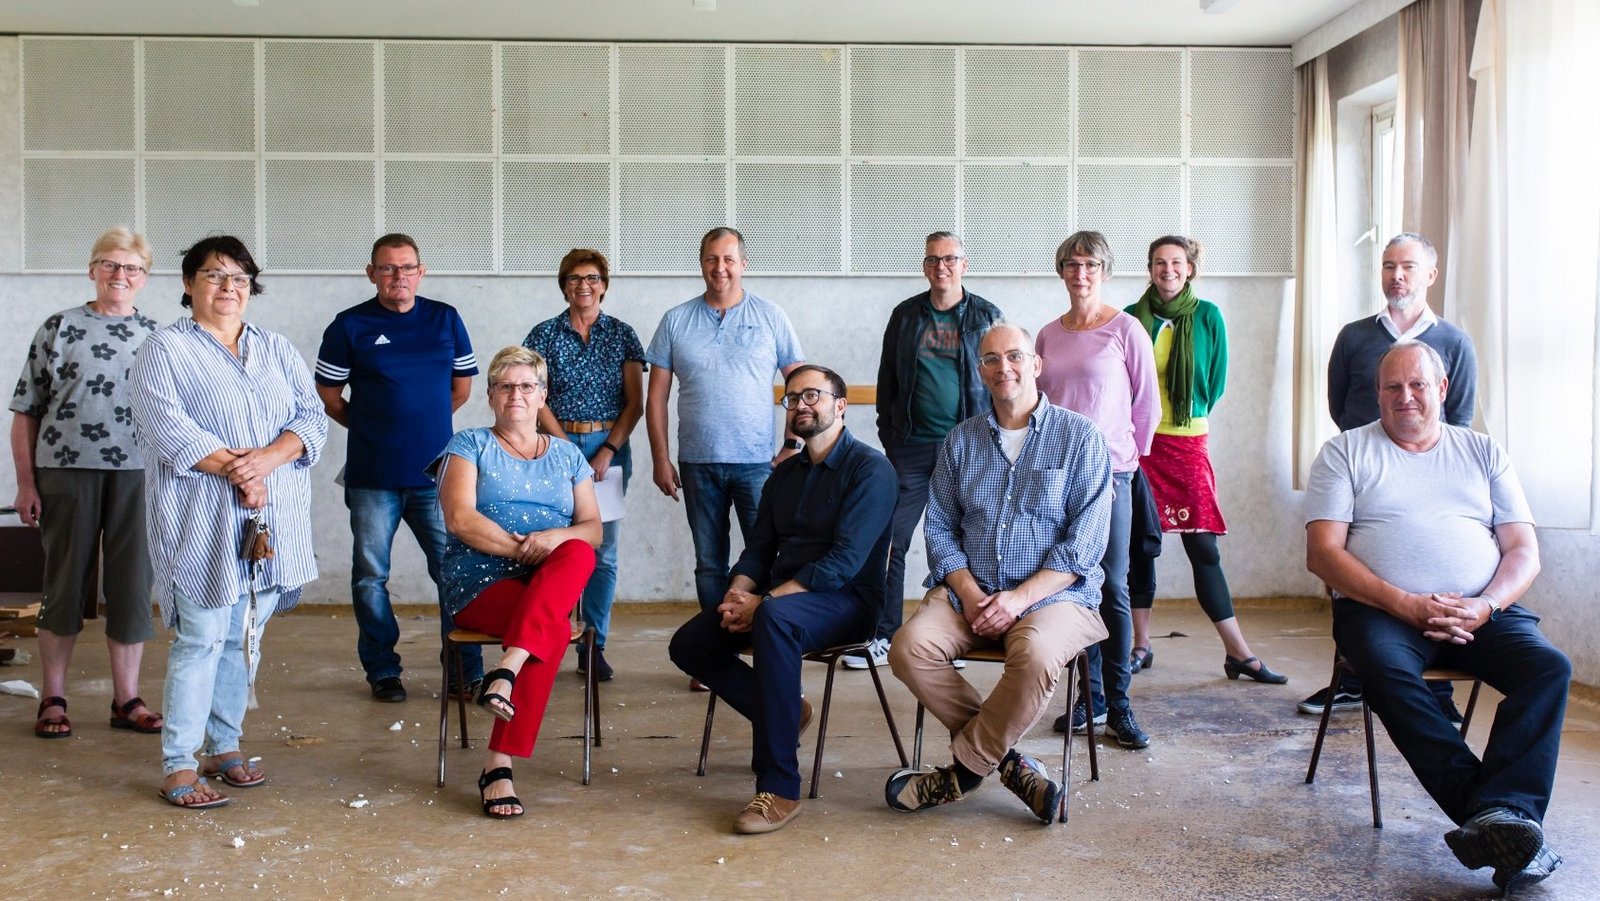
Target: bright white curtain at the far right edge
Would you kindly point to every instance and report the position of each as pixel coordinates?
(1530, 246)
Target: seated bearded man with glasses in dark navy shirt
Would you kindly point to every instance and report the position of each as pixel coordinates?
(812, 577)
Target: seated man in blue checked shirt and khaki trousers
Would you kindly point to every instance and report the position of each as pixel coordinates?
(1018, 515)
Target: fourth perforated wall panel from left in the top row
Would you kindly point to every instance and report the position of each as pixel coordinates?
(439, 98)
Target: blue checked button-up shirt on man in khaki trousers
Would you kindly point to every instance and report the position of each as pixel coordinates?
(1007, 521)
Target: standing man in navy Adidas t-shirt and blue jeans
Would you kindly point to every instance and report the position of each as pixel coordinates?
(409, 366)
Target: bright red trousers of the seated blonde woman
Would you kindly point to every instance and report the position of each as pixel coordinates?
(532, 614)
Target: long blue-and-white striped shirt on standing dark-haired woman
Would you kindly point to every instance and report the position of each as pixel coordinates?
(193, 398)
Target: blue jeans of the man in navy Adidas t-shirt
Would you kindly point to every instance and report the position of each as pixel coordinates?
(375, 518)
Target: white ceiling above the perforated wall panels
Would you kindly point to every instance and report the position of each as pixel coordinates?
(1247, 23)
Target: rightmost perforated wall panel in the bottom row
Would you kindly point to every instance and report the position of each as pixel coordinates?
(1244, 217)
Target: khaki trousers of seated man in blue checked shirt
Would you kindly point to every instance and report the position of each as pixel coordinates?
(1036, 649)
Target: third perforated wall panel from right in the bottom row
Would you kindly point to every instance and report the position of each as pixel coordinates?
(1015, 217)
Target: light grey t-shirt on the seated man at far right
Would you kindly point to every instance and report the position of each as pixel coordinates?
(1422, 523)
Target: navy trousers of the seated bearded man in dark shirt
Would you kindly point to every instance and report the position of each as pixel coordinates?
(767, 691)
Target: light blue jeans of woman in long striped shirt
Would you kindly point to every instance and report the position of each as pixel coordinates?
(207, 678)
